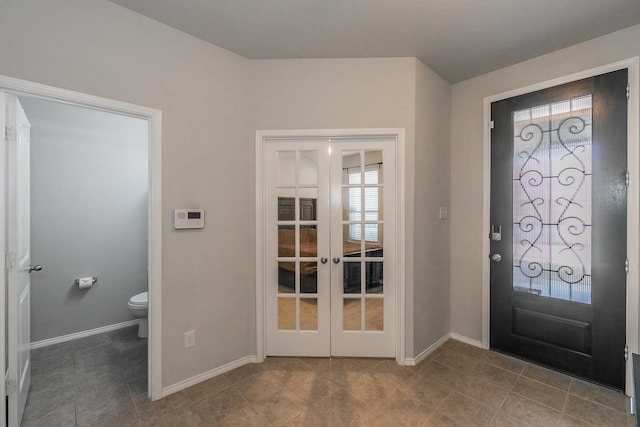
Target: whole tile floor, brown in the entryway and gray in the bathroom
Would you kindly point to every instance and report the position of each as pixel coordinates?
(458, 385)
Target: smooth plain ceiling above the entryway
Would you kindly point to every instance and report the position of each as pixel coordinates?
(458, 39)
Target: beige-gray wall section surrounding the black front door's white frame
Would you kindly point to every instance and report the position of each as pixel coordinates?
(466, 158)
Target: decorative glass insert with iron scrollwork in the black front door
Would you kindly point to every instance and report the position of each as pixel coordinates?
(552, 200)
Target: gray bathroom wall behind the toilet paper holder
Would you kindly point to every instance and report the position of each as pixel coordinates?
(89, 192)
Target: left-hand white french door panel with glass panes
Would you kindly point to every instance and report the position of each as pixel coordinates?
(297, 238)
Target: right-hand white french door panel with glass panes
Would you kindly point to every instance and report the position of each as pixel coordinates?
(362, 248)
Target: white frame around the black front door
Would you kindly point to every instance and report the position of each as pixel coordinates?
(633, 197)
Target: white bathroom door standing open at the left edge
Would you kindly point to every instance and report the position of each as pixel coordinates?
(19, 257)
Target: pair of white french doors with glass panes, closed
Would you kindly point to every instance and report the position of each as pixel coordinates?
(330, 246)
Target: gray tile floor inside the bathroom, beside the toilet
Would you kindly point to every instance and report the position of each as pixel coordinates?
(86, 381)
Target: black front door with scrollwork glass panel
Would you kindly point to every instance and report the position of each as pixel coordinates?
(558, 227)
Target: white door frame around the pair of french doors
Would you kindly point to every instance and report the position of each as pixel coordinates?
(262, 137)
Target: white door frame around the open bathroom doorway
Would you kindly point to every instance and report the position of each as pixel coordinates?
(154, 118)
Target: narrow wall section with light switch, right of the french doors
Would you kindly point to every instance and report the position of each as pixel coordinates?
(430, 299)
